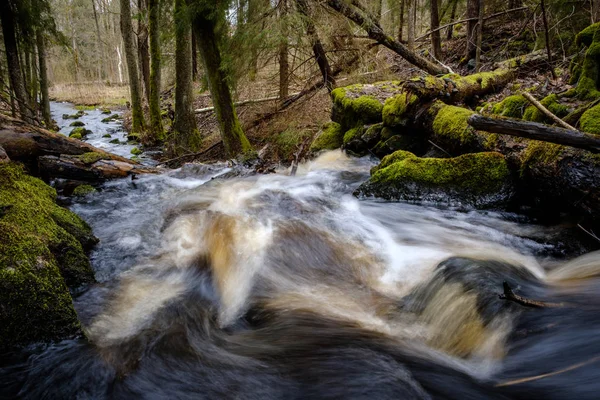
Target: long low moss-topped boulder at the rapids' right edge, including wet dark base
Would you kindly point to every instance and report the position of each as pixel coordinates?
(480, 180)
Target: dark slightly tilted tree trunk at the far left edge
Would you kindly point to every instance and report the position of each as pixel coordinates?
(12, 60)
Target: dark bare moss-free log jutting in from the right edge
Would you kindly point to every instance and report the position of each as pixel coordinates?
(536, 131)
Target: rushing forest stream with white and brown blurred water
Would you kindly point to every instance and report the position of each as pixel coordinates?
(217, 284)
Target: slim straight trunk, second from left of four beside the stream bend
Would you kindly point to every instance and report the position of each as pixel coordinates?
(154, 34)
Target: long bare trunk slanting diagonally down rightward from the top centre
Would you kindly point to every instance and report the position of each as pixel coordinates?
(376, 33)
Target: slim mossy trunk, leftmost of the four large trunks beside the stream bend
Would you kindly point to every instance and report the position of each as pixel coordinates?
(137, 114)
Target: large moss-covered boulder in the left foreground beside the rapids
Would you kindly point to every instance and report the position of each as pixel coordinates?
(41, 253)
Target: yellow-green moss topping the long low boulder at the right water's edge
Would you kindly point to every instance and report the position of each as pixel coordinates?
(477, 173)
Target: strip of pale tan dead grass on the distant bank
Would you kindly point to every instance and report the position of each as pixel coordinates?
(91, 94)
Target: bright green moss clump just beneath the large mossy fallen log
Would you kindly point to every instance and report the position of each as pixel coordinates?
(452, 122)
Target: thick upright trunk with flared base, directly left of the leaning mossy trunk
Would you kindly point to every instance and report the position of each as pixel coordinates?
(184, 124)
